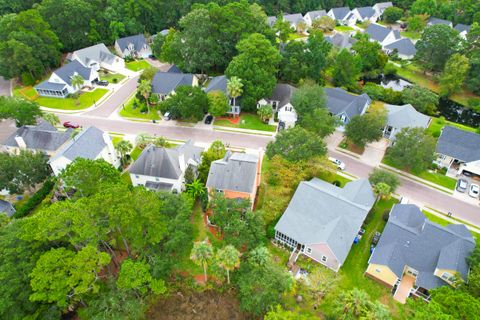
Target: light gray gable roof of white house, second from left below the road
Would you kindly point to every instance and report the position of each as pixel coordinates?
(88, 144)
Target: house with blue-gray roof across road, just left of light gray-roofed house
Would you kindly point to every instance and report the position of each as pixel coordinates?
(345, 105)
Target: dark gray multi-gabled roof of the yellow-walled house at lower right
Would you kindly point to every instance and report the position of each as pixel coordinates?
(409, 239)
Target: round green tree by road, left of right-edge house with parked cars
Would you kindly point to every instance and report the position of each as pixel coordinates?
(414, 149)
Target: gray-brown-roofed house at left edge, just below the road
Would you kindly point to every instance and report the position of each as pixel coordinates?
(39, 138)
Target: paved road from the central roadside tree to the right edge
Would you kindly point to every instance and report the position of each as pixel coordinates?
(417, 192)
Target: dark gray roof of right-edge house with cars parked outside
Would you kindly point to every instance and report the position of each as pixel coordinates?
(459, 144)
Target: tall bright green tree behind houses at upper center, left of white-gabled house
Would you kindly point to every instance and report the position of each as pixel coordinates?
(256, 64)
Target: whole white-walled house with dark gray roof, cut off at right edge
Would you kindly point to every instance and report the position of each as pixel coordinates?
(458, 151)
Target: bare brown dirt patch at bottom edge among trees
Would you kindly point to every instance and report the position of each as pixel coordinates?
(207, 305)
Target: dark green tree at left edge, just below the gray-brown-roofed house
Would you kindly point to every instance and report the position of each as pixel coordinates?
(23, 171)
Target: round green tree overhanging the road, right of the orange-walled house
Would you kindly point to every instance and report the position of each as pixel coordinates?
(296, 144)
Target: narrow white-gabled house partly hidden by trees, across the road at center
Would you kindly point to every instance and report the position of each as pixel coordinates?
(280, 102)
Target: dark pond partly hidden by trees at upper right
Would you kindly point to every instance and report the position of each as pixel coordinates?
(447, 108)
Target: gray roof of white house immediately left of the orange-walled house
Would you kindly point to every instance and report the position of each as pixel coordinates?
(165, 163)
